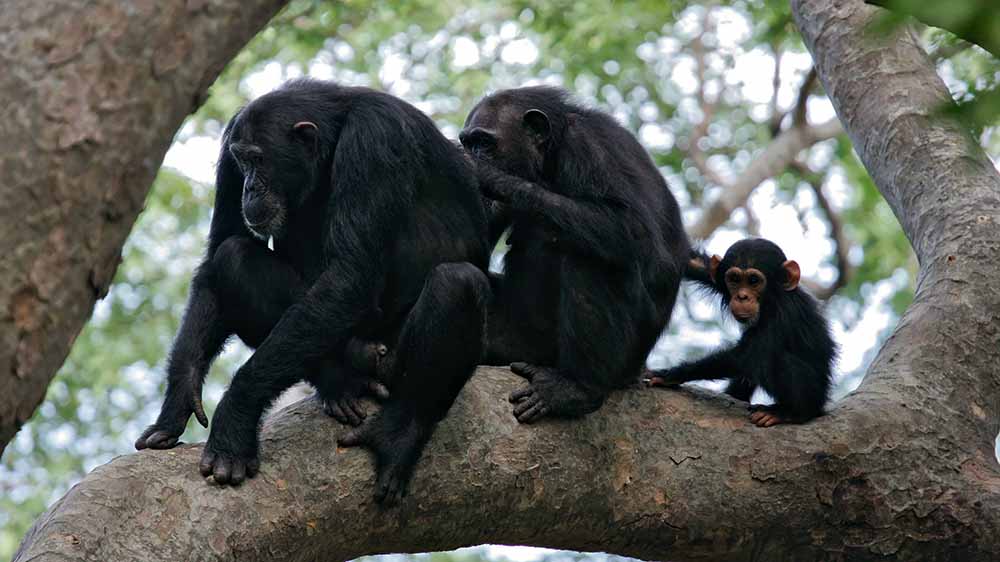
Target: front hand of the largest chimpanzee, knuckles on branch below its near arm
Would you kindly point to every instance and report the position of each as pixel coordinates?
(231, 453)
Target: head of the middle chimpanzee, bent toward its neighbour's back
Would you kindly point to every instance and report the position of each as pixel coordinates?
(511, 137)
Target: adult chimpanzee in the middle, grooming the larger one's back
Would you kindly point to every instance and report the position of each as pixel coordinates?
(597, 248)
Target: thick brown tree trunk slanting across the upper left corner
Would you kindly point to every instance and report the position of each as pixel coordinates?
(94, 92)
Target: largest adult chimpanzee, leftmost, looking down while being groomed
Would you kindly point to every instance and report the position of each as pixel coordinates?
(379, 234)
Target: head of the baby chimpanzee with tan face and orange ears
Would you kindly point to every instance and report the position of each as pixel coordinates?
(751, 274)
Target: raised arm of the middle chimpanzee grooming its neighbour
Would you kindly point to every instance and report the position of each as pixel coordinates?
(607, 227)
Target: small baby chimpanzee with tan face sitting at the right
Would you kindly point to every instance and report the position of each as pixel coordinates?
(786, 347)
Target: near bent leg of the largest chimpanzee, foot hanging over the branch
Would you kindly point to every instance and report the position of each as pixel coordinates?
(437, 351)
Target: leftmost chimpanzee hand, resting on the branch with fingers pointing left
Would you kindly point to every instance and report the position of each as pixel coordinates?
(181, 401)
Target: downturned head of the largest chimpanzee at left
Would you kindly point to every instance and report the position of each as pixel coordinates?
(278, 165)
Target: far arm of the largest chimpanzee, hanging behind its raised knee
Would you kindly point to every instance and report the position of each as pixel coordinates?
(202, 332)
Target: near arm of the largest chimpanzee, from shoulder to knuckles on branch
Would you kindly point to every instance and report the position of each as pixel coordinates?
(373, 188)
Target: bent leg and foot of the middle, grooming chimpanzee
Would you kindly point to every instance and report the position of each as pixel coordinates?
(607, 325)
